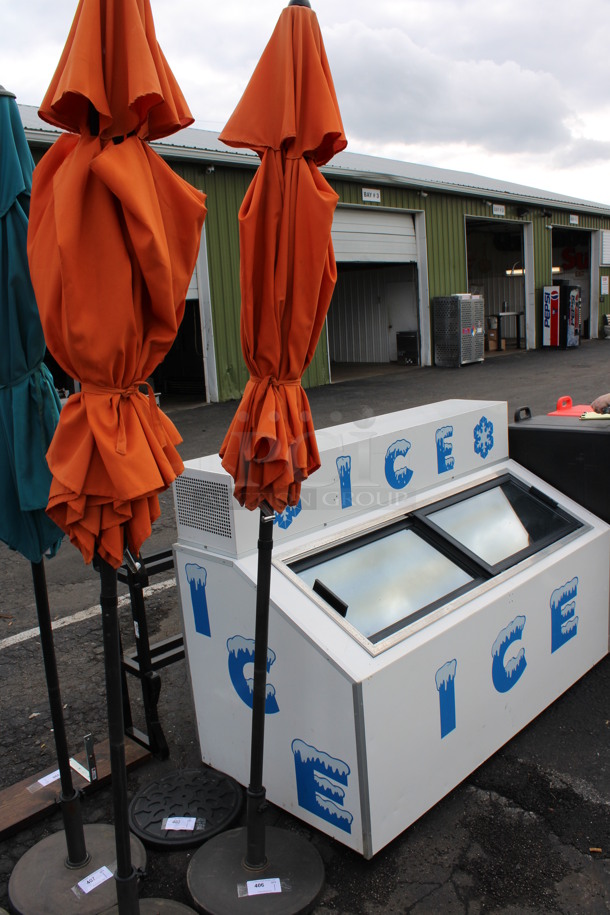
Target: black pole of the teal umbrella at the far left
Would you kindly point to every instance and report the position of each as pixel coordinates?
(69, 797)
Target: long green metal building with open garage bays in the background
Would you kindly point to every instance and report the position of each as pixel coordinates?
(403, 235)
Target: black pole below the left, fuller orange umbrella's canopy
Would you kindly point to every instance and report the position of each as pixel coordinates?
(126, 876)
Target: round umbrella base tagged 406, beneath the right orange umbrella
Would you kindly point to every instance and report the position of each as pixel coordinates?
(290, 883)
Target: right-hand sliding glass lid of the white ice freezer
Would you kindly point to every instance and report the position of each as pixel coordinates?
(501, 523)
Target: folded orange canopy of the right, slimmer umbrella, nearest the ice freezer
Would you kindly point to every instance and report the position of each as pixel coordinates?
(289, 115)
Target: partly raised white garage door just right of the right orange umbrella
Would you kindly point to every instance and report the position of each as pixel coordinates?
(373, 236)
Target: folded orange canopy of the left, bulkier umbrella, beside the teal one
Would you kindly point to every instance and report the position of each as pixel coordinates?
(113, 240)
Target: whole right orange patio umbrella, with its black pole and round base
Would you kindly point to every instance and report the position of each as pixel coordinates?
(289, 115)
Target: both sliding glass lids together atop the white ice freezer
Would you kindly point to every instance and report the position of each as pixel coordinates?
(386, 579)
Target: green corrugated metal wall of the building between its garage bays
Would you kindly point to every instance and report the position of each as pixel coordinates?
(445, 217)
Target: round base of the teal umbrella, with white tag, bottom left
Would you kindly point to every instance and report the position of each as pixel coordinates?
(42, 883)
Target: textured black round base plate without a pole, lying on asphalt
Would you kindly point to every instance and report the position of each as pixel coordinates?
(214, 800)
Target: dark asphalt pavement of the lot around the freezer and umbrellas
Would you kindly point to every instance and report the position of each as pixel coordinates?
(528, 832)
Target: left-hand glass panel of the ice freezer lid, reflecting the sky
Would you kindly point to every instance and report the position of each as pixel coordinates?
(388, 580)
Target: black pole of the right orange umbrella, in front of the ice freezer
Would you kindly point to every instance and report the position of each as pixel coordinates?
(255, 795)
